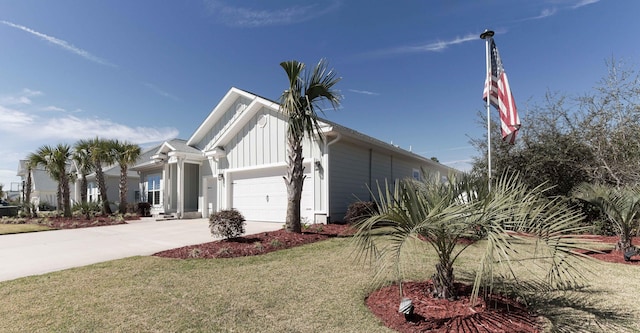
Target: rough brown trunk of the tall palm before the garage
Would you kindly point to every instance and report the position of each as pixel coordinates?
(294, 180)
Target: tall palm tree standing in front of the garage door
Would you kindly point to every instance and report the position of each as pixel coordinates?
(299, 103)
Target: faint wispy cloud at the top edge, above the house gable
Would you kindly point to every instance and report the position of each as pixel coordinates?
(252, 18)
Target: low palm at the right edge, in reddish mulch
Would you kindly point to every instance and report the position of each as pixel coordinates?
(620, 205)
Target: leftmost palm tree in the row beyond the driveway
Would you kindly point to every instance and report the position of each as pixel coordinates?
(55, 160)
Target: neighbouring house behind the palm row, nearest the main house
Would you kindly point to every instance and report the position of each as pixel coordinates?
(112, 182)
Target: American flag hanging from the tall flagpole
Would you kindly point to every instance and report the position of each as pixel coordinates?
(497, 87)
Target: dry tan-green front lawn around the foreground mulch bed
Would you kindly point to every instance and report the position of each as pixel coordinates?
(312, 288)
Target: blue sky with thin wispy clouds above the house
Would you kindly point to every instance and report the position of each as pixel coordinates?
(413, 71)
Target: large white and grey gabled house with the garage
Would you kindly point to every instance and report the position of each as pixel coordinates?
(237, 159)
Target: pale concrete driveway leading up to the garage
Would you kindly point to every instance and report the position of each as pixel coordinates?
(43, 252)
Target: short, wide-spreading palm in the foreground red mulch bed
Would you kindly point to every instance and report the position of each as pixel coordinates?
(441, 213)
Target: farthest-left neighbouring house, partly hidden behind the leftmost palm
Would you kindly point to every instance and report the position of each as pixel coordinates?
(44, 190)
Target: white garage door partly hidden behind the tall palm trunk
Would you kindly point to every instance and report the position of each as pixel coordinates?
(262, 195)
